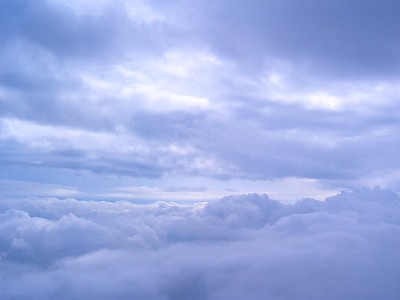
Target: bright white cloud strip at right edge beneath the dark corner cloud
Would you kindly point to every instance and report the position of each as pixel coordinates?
(289, 87)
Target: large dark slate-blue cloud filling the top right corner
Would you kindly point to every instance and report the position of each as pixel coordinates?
(356, 38)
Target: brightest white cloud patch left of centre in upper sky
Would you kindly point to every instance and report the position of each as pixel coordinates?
(178, 81)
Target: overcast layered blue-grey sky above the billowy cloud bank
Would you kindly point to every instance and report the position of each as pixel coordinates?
(190, 100)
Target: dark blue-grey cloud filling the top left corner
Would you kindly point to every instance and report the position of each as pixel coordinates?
(68, 35)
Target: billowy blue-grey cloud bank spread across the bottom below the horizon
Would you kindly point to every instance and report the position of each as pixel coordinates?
(239, 247)
